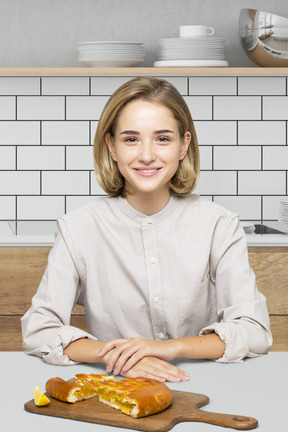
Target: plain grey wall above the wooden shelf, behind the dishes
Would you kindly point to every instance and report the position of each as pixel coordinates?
(46, 32)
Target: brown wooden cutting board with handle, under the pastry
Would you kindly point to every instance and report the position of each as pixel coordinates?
(185, 407)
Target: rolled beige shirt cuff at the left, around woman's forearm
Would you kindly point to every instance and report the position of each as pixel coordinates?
(52, 352)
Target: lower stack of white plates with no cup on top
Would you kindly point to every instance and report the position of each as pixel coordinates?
(111, 53)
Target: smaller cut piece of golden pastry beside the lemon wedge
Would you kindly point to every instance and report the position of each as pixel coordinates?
(72, 391)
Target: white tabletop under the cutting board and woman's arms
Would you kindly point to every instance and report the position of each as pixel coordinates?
(257, 388)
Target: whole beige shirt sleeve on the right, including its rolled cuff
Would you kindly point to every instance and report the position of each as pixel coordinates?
(244, 324)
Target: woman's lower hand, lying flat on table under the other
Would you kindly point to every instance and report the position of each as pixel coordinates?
(152, 367)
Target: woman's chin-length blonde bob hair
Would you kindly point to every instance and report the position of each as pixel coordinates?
(157, 91)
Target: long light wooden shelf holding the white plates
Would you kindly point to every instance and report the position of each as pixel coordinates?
(144, 71)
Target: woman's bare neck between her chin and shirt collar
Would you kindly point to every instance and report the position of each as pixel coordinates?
(148, 204)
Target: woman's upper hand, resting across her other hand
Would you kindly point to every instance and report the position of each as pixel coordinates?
(123, 354)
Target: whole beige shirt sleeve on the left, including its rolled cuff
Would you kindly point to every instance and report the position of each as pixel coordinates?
(46, 328)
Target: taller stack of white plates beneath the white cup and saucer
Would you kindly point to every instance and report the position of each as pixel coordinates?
(191, 52)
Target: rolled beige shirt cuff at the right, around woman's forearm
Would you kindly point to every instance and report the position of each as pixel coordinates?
(236, 346)
